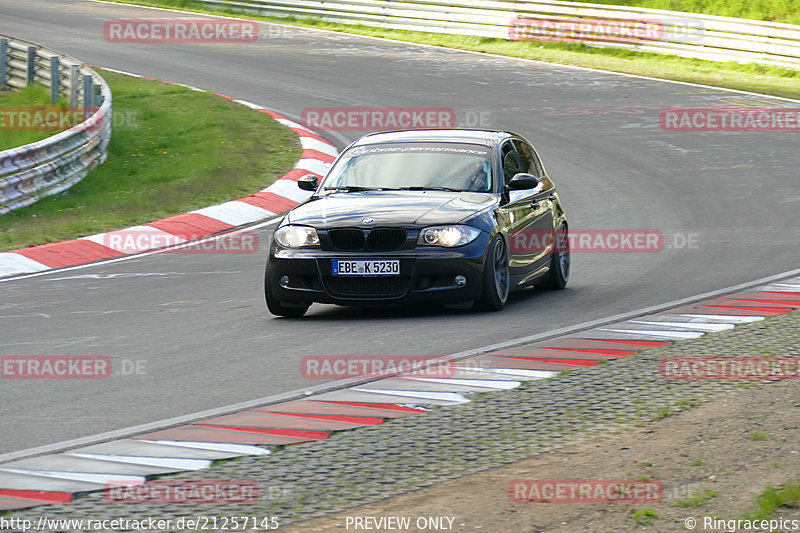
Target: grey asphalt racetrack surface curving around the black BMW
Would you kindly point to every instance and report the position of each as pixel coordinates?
(197, 324)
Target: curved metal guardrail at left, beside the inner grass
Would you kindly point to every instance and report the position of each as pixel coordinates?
(31, 172)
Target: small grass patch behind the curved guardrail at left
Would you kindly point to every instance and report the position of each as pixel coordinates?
(34, 96)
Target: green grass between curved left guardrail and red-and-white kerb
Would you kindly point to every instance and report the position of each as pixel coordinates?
(186, 150)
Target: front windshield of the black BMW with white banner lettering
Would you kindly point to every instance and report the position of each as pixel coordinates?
(413, 166)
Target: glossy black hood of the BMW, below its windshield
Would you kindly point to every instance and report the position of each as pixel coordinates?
(390, 208)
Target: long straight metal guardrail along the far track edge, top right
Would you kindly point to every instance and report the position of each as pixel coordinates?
(647, 30)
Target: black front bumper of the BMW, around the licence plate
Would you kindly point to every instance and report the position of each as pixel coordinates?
(426, 274)
